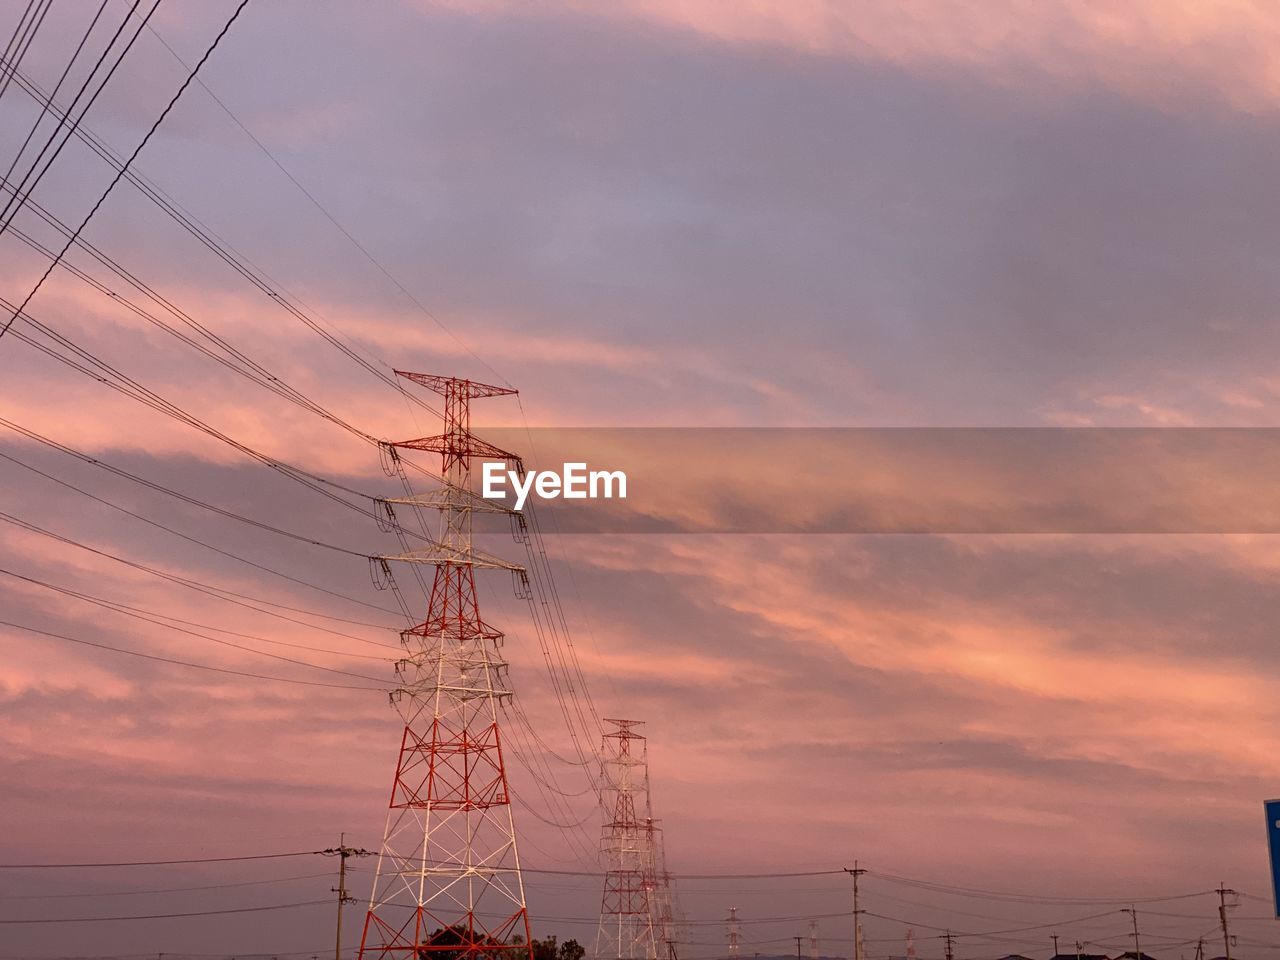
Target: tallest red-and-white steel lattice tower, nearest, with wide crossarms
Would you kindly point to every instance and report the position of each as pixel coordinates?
(449, 872)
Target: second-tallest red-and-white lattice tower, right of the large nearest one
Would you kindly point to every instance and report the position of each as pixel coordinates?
(628, 911)
